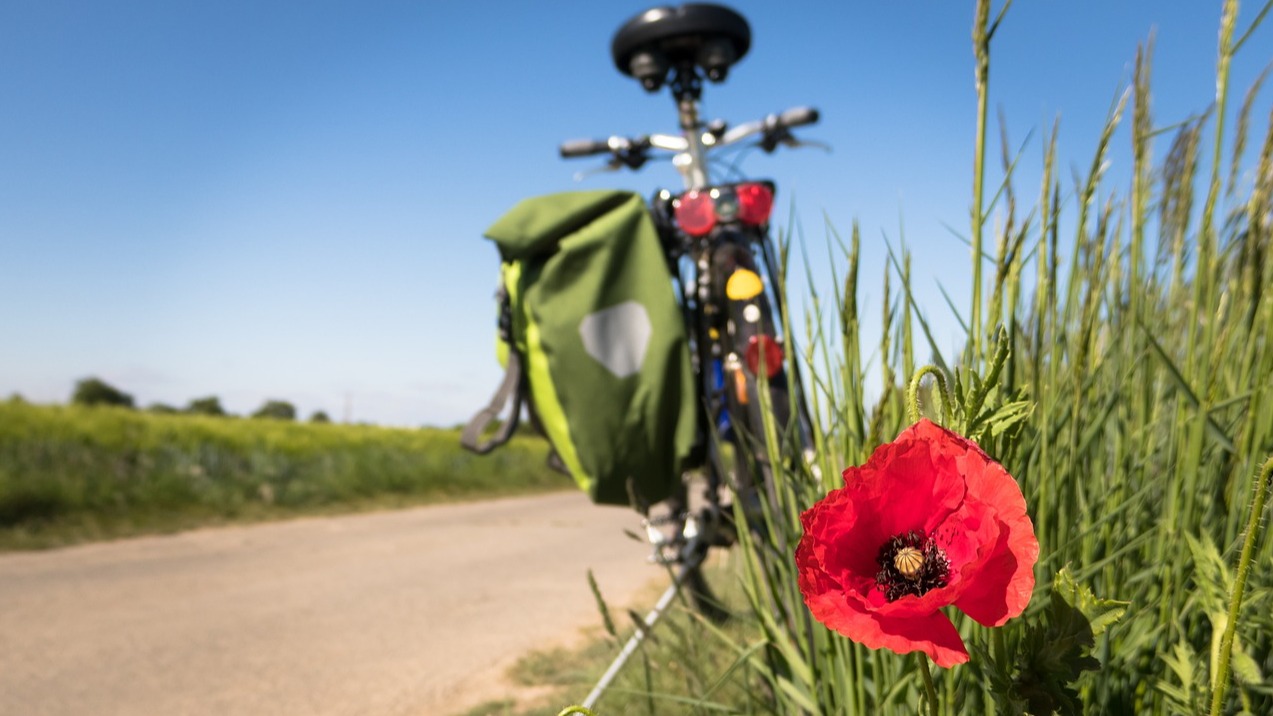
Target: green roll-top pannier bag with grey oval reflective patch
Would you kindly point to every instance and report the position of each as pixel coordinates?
(593, 341)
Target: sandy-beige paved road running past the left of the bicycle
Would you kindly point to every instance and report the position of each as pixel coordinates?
(417, 612)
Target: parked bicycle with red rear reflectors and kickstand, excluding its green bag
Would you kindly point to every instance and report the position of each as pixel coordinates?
(725, 268)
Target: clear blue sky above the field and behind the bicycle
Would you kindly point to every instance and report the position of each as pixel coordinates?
(286, 201)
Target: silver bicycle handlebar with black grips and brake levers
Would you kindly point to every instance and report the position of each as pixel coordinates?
(632, 151)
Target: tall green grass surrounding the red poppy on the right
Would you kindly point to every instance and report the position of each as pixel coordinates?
(1122, 357)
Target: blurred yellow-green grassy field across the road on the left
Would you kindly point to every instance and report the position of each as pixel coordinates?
(72, 475)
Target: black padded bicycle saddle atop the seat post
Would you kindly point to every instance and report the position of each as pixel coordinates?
(663, 39)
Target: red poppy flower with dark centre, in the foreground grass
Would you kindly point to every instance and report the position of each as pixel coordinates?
(929, 522)
